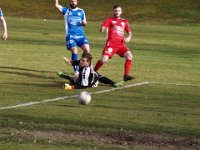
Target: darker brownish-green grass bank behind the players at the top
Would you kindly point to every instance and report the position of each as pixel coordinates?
(156, 11)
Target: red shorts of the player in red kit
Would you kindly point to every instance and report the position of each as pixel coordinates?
(111, 48)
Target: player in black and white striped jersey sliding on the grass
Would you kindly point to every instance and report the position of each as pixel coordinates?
(87, 76)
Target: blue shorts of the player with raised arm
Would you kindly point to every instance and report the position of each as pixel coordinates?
(74, 41)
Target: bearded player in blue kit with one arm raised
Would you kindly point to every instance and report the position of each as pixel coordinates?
(75, 20)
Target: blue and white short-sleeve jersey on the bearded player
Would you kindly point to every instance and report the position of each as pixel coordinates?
(73, 21)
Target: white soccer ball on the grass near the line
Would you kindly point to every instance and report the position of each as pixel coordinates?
(84, 98)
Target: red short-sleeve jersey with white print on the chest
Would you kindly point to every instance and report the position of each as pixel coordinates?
(116, 28)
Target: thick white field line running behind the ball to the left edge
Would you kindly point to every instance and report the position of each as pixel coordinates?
(72, 96)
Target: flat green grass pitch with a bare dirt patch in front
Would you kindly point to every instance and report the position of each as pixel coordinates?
(123, 119)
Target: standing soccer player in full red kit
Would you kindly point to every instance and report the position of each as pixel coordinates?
(115, 27)
